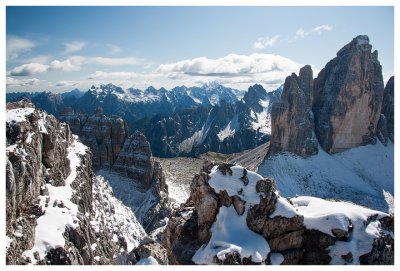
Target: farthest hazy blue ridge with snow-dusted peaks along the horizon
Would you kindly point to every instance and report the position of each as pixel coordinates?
(131, 104)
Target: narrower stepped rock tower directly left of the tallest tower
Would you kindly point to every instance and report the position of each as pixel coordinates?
(292, 117)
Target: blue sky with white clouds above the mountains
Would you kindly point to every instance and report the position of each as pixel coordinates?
(61, 48)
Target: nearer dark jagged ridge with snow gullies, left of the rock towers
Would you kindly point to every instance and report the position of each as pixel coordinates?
(224, 128)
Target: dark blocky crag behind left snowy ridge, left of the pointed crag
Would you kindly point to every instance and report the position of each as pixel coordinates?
(104, 135)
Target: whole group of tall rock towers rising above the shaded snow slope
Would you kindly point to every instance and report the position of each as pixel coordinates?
(344, 107)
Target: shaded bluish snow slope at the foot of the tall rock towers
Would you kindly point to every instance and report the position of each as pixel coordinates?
(363, 175)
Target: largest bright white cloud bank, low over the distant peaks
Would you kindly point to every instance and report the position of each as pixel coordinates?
(233, 70)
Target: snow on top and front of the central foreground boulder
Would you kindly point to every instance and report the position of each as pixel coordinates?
(230, 232)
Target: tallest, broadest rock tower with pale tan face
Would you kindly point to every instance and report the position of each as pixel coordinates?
(348, 95)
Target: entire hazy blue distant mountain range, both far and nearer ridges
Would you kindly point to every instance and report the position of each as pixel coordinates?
(181, 121)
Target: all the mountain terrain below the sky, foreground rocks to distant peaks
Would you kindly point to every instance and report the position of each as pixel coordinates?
(313, 182)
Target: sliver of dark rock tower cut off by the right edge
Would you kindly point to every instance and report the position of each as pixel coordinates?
(385, 128)
